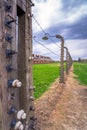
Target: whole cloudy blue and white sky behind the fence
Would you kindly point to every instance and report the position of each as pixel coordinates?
(65, 17)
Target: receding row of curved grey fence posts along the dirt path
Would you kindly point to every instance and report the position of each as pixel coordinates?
(68, 60)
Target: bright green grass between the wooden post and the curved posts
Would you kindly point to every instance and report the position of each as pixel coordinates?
(43, 76)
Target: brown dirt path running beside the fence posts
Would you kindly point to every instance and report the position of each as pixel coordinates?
(63, 109)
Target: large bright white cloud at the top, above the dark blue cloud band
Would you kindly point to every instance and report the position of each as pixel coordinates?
(50, 12)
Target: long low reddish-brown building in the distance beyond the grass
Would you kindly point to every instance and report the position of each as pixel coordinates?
(39, 59)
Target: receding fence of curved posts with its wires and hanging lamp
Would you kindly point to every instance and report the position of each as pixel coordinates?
(61, 55)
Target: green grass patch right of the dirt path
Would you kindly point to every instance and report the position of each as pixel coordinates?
(80, 69)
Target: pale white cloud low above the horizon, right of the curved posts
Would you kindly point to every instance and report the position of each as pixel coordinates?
(77, 48)
